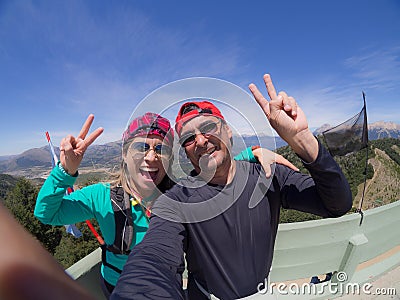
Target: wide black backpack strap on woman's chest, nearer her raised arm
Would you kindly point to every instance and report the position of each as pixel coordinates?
(122, 209)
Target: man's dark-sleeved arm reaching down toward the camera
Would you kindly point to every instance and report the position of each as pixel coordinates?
(155, 266)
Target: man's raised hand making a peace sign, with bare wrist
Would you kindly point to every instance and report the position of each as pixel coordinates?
(288, 119)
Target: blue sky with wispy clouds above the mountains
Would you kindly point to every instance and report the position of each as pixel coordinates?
(61, 60)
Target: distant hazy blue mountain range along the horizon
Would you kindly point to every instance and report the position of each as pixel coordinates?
(108, 155)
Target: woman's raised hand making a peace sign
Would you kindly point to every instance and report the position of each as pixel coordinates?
(72, 149)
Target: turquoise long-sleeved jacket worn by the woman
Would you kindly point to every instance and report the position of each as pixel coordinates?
(55, 208)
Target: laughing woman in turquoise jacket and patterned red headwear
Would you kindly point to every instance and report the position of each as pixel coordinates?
(121, 208)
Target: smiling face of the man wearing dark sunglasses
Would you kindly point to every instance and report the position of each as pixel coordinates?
(207, 144)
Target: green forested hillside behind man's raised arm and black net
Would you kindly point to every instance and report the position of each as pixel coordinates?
(382, 188)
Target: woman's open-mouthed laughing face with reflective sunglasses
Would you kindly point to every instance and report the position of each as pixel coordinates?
(147, 160)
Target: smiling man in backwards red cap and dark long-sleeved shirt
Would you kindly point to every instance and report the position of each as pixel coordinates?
(229, 247)
